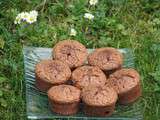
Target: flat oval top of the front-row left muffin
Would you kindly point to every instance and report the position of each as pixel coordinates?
(64, 94)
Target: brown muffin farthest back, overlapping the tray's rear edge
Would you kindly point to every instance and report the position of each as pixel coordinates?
(70, 51)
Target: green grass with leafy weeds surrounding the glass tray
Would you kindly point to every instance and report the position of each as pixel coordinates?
(126, 23)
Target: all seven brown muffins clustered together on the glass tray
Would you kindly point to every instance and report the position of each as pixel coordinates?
(96, 81)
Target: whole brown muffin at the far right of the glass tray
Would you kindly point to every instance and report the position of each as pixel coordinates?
(127, 84)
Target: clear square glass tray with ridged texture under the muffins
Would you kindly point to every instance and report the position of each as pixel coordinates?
(37, 102)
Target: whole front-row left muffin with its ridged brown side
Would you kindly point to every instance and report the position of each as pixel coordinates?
(64, 99)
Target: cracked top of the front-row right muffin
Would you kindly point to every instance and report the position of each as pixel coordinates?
(99, 96)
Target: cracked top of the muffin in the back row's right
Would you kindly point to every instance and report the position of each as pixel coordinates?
(106, 58)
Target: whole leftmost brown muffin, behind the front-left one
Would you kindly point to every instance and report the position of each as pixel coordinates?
(51, 72)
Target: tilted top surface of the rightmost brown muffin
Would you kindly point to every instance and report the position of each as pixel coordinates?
(124, 80)
